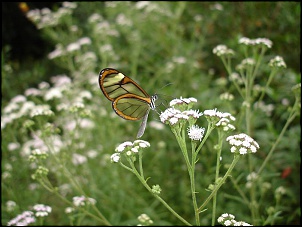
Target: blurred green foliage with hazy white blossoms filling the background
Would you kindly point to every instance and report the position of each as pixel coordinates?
(55, 106)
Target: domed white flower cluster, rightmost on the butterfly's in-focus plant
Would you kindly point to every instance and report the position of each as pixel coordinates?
(242, 144)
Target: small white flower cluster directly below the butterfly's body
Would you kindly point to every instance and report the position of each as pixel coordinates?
(129, 149)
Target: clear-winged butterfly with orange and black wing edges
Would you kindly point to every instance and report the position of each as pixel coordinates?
(129, 100)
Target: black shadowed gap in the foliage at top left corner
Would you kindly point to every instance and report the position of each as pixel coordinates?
(20, 34)
